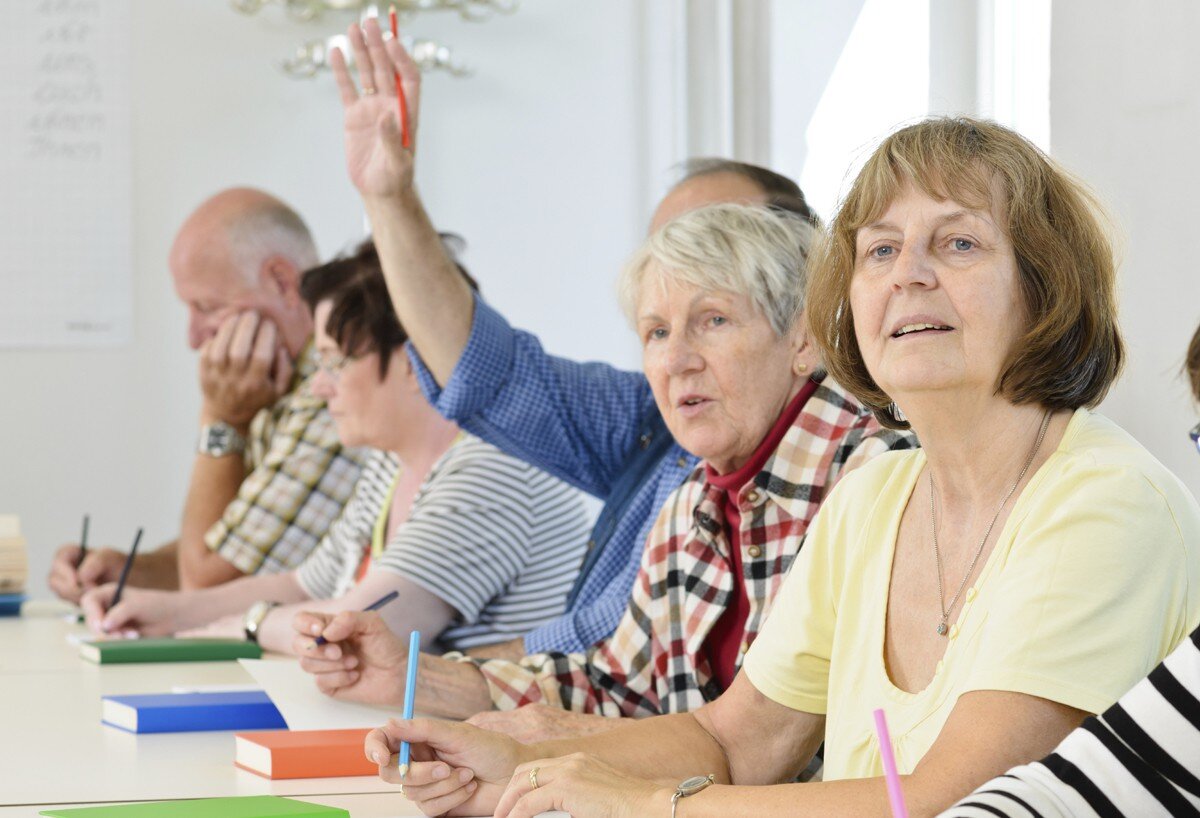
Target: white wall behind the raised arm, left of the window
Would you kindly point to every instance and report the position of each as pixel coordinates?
(531, 161)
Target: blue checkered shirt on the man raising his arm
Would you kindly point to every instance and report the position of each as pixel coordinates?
(579, 423)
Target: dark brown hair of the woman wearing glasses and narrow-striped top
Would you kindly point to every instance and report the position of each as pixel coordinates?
(363, 320)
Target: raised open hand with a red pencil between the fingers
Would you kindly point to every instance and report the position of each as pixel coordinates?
(379, 163)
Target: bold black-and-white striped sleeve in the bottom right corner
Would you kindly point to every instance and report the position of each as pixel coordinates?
(1142, 757)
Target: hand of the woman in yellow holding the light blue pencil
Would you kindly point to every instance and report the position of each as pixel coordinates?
(455, 769)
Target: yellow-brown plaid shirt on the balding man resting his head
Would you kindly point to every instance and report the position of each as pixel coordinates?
(298, 479)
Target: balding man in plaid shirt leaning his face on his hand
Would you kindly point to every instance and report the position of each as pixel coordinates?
(269, 474)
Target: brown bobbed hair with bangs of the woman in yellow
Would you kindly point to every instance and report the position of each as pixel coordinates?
(1071, 350)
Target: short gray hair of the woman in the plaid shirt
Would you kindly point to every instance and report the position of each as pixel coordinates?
(752, 251)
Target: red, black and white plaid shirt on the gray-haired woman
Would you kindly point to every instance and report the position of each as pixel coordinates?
(657, 661)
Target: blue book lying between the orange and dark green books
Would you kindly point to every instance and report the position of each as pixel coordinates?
(185, 713)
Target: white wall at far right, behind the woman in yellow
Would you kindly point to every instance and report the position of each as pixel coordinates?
(1125, 115)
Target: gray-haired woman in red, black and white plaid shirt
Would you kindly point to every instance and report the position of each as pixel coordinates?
(717, 300)
